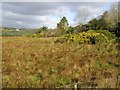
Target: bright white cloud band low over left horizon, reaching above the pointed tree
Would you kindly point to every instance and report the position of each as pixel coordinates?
(40, 20)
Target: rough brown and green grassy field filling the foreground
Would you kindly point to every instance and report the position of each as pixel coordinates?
(39, 62)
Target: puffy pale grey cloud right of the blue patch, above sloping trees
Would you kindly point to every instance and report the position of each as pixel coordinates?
(87, 13)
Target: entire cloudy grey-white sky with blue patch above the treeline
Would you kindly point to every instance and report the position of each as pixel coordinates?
(37, 14)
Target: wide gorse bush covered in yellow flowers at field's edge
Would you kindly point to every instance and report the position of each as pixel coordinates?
(89, 37)
